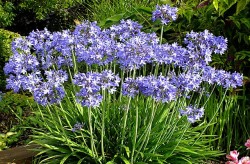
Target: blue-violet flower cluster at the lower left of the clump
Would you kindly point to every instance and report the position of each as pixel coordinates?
(45, 90)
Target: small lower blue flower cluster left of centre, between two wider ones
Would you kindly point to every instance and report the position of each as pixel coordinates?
(91, 84)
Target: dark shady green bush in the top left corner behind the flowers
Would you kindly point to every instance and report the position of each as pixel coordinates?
(23, 16)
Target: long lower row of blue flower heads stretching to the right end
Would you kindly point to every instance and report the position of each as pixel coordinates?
(174, 85)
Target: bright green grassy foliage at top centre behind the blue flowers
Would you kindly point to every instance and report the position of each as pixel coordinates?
(119, 9)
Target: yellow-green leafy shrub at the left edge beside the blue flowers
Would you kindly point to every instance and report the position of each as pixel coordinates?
(6, 37)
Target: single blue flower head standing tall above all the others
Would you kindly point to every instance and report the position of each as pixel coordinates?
(165, 13)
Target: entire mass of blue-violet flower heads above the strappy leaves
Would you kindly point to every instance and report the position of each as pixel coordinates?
(36, 56)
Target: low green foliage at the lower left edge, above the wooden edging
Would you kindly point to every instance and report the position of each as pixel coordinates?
(15, 114)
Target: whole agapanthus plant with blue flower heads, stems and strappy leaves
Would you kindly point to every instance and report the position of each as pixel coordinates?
(90, 74)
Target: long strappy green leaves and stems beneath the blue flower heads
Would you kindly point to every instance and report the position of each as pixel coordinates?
(153, 133)
